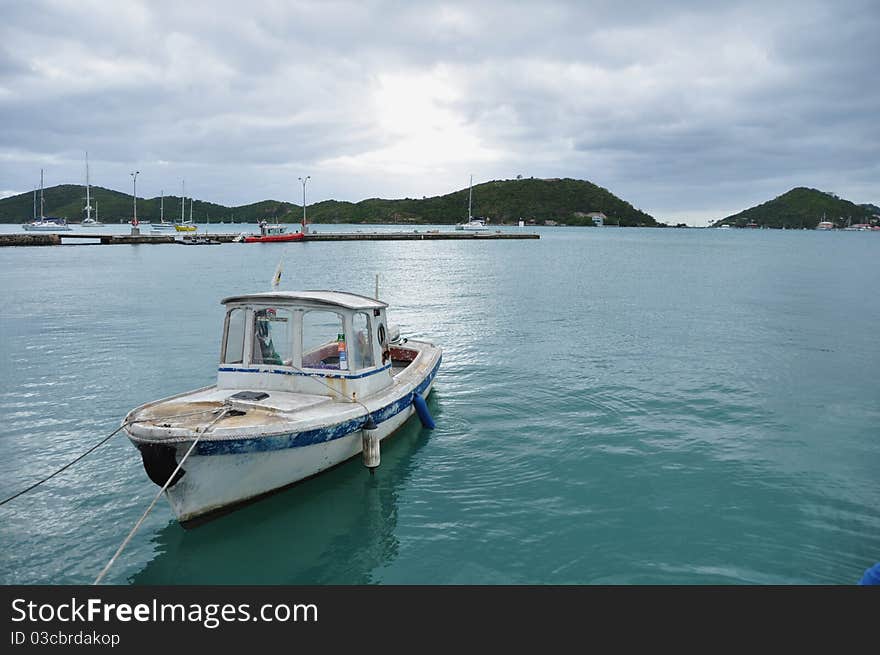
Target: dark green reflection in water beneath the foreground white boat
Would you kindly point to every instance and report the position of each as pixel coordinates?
(336, 528)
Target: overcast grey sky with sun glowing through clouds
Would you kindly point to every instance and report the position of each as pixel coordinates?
(689, 110)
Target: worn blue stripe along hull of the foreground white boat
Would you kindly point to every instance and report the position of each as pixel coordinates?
(311, 437)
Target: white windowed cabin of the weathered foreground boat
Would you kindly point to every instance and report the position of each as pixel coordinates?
(305, 342)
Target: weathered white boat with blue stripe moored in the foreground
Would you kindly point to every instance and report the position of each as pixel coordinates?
(306, 380)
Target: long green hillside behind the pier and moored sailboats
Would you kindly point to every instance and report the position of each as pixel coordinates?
(504, 201)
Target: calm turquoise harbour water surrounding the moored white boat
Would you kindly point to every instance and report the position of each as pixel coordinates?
(615, 406)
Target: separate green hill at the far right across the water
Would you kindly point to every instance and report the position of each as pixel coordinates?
(801, 207)
